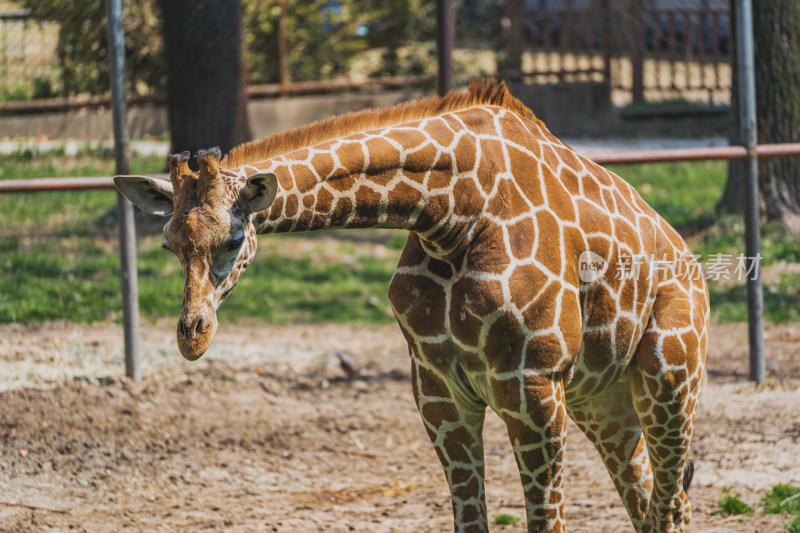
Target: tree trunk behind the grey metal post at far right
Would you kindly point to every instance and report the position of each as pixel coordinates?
(776, 28)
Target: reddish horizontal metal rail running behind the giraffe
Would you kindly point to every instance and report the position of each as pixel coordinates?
(626, 157)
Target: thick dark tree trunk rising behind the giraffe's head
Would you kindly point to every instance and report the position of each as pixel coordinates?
(206, 99)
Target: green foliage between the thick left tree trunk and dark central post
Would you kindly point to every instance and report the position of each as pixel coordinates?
(324, 37)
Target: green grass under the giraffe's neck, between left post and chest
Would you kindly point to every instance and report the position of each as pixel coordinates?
(276, 288)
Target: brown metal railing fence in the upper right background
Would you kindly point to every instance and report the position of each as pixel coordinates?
(646, 51)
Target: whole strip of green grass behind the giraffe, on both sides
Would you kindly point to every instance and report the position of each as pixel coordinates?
(58, 252)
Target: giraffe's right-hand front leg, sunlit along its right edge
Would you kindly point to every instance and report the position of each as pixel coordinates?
(534, 412)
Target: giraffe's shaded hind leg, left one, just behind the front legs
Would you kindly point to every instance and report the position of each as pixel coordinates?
(610, 421)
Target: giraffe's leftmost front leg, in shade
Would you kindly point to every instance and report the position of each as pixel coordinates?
(455, 424)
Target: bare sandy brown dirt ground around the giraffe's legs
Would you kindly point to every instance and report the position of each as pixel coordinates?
(265, 434)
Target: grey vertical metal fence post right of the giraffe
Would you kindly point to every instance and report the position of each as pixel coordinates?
(748, 132)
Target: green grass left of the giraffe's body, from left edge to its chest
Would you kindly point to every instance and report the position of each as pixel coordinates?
(58, 255)
